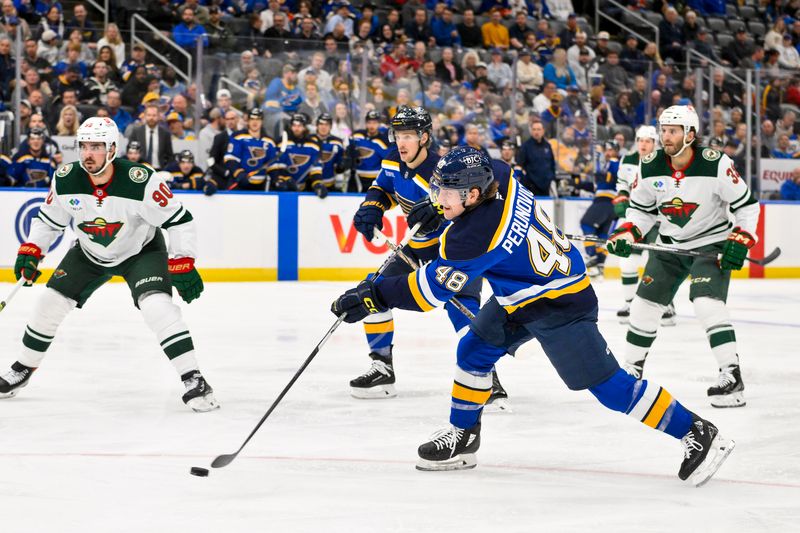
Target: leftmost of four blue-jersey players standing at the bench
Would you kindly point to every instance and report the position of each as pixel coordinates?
(249, 154)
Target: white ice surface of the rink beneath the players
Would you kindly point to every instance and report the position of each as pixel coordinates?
(100, 441)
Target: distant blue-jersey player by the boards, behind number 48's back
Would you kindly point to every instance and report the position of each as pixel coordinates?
(598, 218)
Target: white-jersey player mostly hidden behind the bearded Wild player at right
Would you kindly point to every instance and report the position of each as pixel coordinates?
(646, 143)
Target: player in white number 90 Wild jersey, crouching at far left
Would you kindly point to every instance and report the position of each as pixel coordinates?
(117, 208)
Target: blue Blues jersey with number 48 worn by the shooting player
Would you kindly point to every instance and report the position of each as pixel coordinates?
(508, 240)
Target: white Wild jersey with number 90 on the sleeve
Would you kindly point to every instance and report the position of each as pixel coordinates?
(115, 221)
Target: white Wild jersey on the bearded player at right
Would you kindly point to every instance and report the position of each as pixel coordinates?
(697, 205)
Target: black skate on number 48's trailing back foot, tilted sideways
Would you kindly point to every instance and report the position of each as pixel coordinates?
(704, 452)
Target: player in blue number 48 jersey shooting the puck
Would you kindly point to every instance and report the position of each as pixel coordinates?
(541, 291)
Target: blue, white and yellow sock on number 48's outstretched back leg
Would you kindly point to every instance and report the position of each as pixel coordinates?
(645, 401)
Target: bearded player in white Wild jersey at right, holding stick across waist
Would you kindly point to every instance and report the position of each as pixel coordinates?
(702, 204)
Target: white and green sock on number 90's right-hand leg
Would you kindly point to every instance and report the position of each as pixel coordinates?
(163, 317)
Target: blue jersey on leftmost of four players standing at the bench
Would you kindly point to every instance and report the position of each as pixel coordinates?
(248, 158)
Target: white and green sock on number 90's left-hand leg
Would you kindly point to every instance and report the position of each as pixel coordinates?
(51, 309)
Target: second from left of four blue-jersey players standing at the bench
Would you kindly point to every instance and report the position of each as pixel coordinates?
(297, 168)
